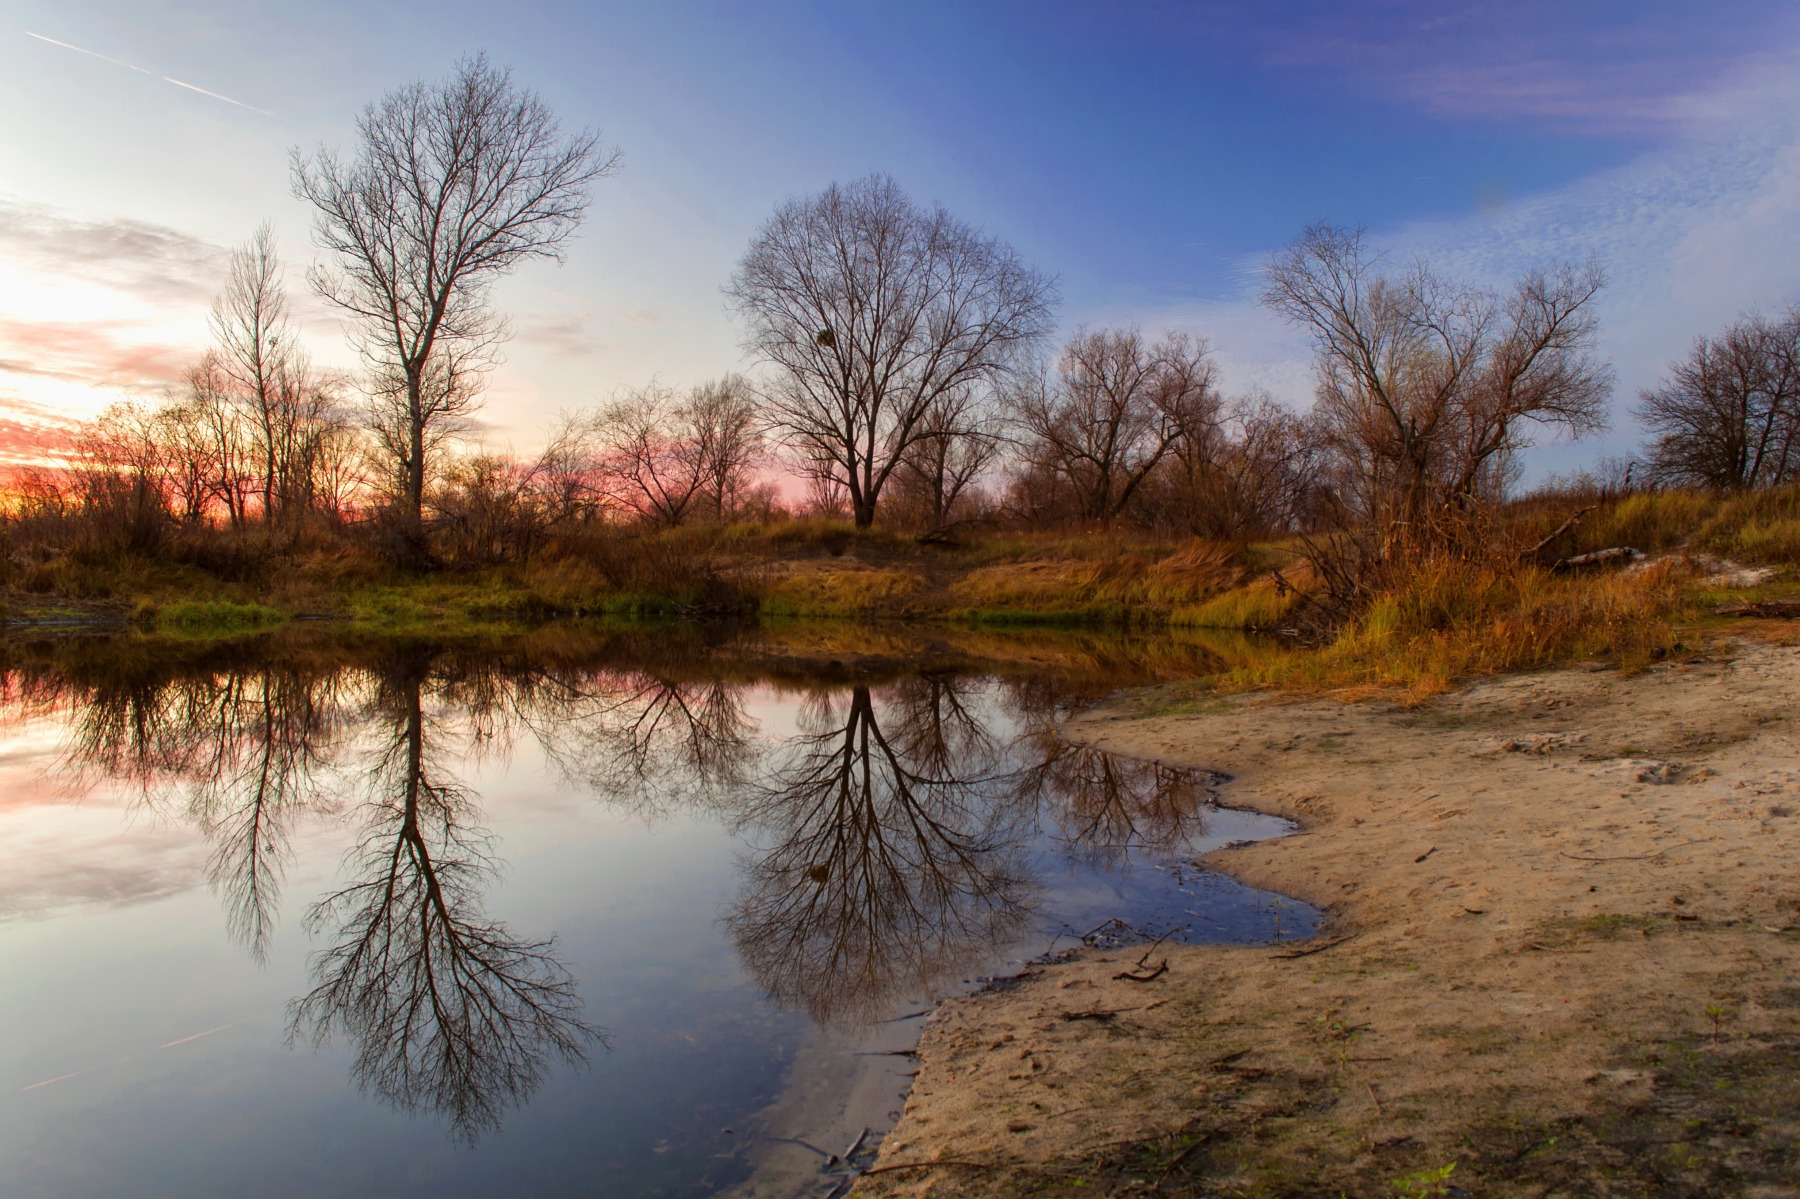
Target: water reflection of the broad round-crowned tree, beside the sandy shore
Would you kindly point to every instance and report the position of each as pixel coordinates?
(892, 865)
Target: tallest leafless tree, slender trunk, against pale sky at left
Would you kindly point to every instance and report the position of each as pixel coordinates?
(453, 186)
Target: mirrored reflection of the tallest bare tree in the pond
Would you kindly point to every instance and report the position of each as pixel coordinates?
(449, 1011)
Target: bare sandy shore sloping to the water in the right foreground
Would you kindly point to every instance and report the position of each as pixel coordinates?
(1561, 962)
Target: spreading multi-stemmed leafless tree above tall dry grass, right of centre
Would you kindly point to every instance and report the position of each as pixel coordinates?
(1428, 390)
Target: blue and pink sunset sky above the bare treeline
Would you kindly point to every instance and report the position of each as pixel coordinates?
(1149, 156)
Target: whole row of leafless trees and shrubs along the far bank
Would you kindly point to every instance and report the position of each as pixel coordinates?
(904, 375)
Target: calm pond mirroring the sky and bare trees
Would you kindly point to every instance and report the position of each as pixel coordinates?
(307, 919)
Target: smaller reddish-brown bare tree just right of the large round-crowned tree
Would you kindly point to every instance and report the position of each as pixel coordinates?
(1111, 411)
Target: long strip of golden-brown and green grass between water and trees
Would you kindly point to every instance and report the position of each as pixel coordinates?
(1448, 620)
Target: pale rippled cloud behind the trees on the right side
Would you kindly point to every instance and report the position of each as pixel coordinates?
(1691, 235)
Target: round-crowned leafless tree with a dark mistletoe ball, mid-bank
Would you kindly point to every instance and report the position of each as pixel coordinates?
(870, 312)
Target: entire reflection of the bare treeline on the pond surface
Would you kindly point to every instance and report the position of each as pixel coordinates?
(895, 840)
